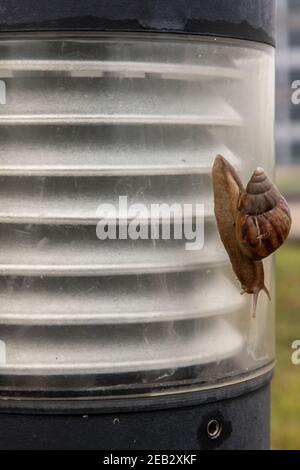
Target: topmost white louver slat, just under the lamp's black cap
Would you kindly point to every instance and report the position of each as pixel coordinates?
(109, 55)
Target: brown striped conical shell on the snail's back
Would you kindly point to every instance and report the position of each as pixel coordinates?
(263, 218)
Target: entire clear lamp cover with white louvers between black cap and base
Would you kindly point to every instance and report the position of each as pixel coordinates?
(85, 121)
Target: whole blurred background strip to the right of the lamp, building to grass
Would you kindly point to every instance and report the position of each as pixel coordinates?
(286, 384)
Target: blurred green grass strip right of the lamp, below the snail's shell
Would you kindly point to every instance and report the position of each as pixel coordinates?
(286, 384)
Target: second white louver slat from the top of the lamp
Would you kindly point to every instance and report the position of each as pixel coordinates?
(107, 100)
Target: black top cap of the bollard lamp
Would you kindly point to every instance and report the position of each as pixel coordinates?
(242, 19)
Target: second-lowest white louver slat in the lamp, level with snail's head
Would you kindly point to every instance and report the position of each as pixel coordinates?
(116, 300)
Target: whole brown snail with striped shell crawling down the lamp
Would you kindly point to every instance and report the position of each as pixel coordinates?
(252, 222)
